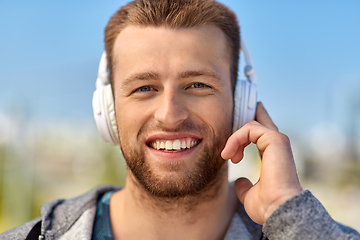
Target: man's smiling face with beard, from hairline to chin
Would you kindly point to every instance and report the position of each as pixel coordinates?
(173, 103)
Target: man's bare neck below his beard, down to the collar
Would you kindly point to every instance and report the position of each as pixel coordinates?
(205, 215)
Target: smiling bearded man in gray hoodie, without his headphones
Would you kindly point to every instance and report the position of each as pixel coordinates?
(173, 69)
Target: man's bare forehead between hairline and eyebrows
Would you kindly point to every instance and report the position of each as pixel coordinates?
(140, 40)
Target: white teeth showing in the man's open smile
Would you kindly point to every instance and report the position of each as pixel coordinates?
(176, 145)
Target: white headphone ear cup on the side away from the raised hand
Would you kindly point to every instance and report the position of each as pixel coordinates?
(104, 114)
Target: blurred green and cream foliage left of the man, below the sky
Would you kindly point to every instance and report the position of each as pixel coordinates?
(53, 167)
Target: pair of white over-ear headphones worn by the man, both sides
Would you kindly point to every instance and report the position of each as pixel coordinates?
(245, 96)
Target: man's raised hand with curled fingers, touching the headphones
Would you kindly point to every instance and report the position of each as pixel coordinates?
(278, 180)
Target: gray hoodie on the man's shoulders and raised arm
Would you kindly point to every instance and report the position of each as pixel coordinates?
(302, 217)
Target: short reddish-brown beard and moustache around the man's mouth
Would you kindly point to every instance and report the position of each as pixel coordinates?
(180, 180)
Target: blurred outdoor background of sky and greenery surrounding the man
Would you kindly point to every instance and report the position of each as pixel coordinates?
(306, 55)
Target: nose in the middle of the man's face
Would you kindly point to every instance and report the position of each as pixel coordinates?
(171, 109)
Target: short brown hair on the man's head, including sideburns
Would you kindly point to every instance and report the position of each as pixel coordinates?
(175, 14)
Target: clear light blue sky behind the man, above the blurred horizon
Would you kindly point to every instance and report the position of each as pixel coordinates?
(306, 55)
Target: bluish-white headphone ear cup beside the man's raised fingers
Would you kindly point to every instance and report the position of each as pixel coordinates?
(242, 112)
